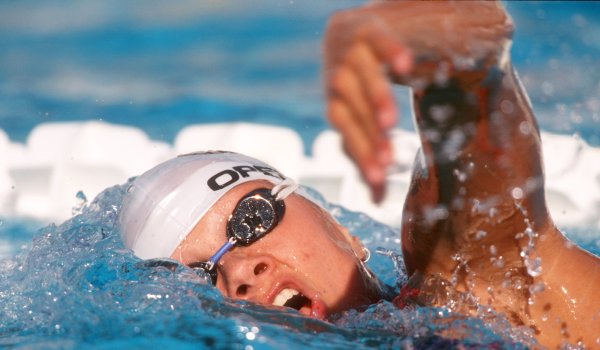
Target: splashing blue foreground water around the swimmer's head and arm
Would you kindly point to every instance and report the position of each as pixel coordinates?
(76, 286)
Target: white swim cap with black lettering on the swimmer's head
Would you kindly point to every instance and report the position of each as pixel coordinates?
(164, 204)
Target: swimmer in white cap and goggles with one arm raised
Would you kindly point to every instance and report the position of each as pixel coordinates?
(475, 218)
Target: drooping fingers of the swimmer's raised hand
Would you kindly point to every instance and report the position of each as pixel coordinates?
(361, 103)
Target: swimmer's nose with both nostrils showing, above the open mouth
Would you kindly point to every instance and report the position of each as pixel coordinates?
(247, 277)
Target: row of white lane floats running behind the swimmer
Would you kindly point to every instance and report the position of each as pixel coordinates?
(40, 179)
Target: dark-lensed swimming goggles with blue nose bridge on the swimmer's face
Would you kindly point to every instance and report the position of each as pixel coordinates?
(255, 215)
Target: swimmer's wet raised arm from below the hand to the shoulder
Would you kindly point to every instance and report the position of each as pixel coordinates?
(490, 180)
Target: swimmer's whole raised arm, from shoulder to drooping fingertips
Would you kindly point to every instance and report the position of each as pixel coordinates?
(475, 214)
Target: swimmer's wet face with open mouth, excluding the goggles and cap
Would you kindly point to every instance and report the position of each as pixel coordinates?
(307, 262)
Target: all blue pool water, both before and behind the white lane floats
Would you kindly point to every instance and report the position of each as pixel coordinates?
(160, 67)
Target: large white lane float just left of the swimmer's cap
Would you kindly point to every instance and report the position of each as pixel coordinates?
(61, 159)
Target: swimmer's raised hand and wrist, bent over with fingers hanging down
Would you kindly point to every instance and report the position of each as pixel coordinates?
(367, 47)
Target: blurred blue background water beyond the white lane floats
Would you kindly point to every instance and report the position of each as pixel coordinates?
(160, 67)
